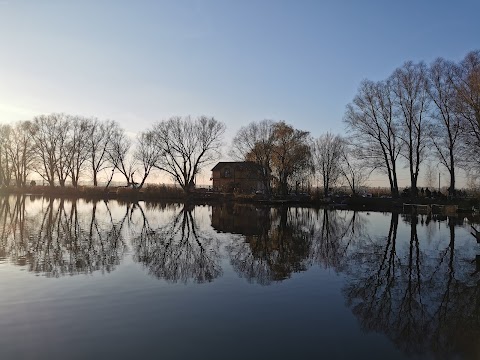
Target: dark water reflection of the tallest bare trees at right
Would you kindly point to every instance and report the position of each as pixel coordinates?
(423, 296)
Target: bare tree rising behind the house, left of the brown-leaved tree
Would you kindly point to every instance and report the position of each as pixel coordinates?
(255, 142)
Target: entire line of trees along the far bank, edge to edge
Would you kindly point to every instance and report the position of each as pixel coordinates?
(419, 112)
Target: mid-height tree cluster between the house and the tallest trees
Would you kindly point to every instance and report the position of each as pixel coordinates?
(289, 156)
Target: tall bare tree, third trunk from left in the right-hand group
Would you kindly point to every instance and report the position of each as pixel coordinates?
(445, 129)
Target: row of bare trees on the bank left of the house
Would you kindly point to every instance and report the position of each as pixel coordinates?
(61, 148)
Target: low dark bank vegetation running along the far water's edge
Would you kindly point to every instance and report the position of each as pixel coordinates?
(379, 201)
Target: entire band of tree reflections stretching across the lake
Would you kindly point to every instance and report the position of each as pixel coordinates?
(415, 284)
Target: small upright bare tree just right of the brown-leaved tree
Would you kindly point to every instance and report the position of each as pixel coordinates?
(327, 153)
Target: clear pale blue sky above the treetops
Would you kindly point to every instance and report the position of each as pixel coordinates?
(240, 61)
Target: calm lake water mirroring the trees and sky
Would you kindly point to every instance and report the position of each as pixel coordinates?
(90, 280)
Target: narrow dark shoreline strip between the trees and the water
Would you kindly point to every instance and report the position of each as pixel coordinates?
(166, 194)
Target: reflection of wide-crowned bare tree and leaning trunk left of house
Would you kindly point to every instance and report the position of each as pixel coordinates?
(177, 250)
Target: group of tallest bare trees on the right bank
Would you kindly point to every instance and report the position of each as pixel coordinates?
(419, 112)
